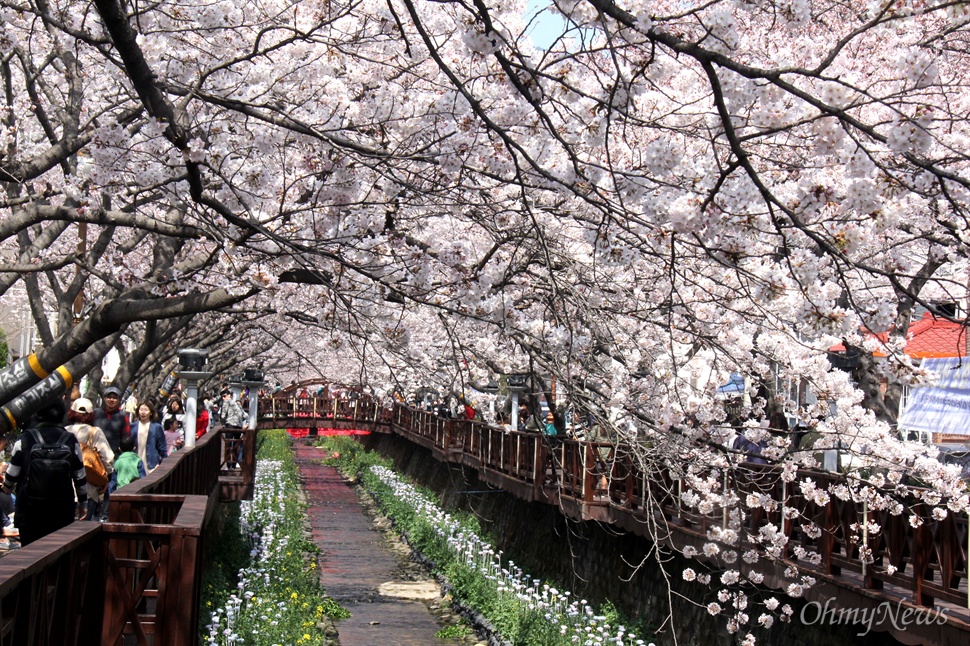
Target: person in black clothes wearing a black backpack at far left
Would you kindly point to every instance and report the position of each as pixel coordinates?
(36, 520)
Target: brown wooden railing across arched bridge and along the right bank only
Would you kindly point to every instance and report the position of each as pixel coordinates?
(606, 482)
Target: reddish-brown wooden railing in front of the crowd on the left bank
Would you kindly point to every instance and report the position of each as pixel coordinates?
(136, 578)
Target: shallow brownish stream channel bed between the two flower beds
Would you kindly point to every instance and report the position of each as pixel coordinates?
(366, 568)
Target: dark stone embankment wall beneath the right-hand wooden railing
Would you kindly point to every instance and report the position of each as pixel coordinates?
(598, 562)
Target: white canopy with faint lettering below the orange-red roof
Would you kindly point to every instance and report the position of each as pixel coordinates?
(945, 407)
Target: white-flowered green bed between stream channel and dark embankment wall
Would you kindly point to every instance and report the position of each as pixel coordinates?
(520, 608)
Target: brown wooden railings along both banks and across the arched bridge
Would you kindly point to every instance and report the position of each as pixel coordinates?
(136, 578)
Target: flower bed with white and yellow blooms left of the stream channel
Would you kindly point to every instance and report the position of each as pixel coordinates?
(277, 597)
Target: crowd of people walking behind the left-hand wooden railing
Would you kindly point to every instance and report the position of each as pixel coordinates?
(72, 455)
